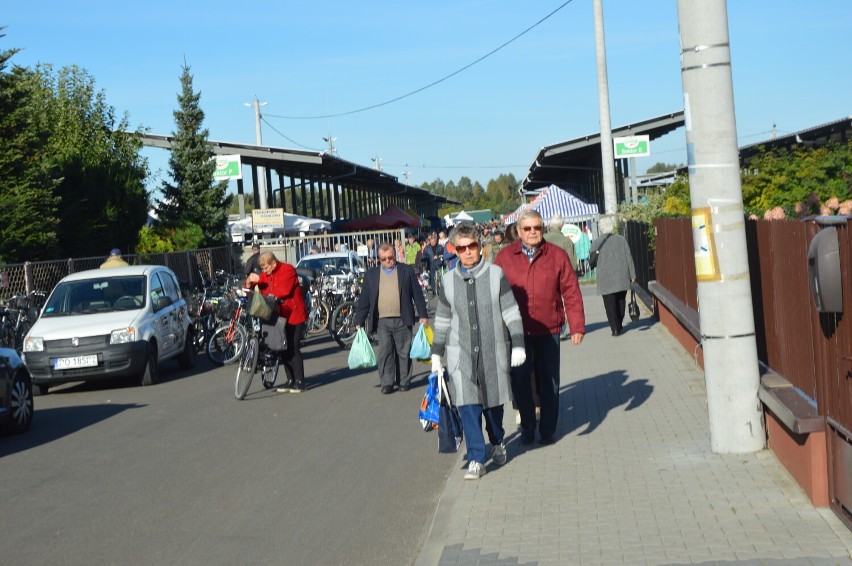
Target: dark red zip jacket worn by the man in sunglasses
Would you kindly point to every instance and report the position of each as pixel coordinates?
(541, 286)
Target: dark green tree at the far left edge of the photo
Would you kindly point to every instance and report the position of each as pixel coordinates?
(29, 227)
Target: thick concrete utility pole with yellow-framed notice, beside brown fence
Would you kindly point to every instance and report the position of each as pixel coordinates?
(721, 259)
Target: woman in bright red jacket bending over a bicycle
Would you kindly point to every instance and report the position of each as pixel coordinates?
(280, 280)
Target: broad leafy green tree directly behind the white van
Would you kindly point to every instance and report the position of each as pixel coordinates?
(103, 200)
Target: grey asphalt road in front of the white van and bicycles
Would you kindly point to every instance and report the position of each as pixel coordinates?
(183, 473)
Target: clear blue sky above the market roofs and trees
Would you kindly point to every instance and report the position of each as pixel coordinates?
(307, 58)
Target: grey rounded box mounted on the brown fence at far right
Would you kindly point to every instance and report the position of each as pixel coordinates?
(824, 271)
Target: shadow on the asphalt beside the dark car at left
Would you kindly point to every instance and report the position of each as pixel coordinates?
(55, 423)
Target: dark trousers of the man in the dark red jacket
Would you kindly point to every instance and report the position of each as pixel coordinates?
(543, 359)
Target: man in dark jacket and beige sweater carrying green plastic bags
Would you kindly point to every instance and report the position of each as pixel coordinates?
(389, 299)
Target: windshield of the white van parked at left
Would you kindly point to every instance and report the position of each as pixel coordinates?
(101, 294)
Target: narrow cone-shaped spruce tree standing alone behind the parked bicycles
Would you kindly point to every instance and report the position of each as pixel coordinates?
(193, 197)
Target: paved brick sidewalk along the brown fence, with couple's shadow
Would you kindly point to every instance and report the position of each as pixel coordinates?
(631, 479)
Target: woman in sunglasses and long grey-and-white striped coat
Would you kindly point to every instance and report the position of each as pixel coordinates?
(478, 327)
